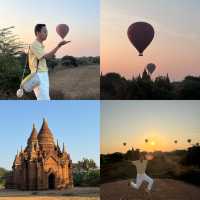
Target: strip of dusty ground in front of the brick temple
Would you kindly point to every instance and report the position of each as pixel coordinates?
(70, 194)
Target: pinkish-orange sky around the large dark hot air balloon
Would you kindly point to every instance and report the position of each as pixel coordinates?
(176, 45)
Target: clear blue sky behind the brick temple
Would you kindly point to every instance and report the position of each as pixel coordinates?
(76, 123)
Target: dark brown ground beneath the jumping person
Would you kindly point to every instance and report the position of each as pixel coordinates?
(163, 189)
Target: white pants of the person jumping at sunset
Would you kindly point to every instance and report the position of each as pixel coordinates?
(140, 179)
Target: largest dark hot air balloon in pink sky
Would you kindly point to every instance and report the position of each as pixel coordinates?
(141, 35)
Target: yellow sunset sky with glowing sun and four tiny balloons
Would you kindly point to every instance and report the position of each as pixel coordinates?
(161, 122)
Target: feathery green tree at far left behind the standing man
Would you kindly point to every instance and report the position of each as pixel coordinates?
(10, 67)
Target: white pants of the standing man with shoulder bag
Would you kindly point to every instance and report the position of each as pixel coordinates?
(42, 91)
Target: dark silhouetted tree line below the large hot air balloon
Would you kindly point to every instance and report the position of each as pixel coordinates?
(142, 87)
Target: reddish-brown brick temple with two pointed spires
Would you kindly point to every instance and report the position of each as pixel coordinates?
(41, 165)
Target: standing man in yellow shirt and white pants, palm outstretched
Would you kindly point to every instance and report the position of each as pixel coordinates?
(37, 61)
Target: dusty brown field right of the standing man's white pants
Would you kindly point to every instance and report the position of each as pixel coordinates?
(81, 82)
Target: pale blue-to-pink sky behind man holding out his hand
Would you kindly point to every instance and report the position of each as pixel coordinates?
(83, 18)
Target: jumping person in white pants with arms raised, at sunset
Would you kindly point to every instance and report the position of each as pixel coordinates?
(141, 166)
